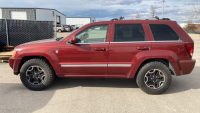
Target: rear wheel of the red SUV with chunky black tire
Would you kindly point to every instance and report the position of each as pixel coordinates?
(147, 76)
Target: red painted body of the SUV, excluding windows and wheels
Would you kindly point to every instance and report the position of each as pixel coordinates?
(118, 60)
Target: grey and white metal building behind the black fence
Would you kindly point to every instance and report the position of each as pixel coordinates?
(40, 14)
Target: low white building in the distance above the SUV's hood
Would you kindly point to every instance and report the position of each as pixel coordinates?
(79, 21)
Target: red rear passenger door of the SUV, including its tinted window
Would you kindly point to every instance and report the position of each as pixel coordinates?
(128, 39)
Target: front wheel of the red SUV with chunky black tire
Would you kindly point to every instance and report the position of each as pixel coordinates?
(48, 74)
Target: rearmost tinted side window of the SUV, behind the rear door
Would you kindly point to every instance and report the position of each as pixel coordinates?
(163, 32)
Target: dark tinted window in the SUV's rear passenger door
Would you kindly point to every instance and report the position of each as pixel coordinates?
(129, 32)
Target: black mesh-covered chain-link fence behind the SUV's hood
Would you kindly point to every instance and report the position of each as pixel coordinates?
(22, 31)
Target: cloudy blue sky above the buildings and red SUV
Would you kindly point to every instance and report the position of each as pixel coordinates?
(178, 10)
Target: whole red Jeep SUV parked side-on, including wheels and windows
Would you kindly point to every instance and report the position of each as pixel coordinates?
(150, 50)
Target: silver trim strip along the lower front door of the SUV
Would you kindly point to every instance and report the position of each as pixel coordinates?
(85, 65)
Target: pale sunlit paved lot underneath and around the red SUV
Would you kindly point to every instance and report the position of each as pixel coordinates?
(89, 95)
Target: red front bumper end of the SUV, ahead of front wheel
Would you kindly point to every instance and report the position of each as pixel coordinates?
(14, 64)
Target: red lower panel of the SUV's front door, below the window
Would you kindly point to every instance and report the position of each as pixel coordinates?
(79, 53)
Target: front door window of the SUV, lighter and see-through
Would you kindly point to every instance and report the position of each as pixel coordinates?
(93, 34)
